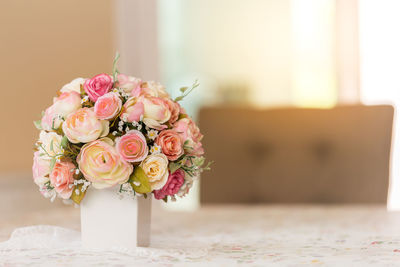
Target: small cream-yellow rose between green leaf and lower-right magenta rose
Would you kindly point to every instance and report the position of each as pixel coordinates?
(155, 166)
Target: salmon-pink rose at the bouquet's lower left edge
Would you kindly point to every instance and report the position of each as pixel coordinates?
(61, 177)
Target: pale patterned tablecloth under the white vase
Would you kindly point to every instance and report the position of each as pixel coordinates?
(230, 236)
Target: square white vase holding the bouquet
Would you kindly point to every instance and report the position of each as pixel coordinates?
(108, 221)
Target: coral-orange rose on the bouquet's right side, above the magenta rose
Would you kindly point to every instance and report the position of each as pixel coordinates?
(171, 144)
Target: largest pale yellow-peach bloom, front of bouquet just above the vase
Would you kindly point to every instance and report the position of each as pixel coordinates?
(101, 164)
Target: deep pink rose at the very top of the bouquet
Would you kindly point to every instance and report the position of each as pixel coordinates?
(98, 86)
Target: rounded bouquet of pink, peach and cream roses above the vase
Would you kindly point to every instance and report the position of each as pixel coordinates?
(117, 131)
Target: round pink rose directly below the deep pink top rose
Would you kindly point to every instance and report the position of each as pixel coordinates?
(107, 106)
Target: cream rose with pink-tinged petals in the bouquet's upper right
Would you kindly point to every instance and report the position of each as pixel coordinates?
(156, 112)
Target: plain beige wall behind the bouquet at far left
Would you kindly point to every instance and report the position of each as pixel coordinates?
(43, 45)
